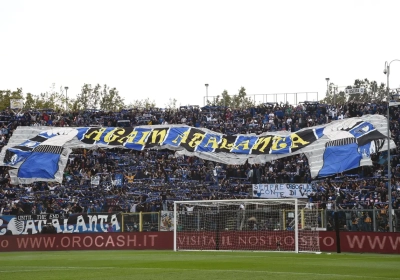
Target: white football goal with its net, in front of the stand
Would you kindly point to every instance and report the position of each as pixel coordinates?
(248, 224)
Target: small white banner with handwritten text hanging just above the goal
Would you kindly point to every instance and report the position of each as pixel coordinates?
(282, 190)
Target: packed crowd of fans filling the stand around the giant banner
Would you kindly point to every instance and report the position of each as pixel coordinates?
(149, 181)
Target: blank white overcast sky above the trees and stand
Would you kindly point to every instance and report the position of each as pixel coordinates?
(164, 50)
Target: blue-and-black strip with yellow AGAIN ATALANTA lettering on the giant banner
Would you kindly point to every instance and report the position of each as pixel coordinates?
(196, 140)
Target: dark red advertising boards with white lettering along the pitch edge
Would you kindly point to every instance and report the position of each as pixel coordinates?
(357, 242)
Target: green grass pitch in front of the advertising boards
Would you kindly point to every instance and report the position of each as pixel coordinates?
(161, 265)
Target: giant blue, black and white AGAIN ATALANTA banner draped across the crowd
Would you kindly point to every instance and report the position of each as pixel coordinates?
(41, 153)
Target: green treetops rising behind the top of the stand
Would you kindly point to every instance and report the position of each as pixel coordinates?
(109, 99)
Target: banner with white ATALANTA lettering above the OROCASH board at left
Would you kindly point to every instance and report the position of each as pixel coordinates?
(59, 223)
